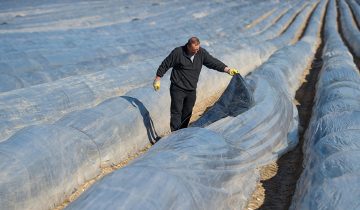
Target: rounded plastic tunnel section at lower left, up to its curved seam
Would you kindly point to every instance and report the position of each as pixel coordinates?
(35, 165)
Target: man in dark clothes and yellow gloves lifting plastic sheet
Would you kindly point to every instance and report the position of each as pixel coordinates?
(186, 62)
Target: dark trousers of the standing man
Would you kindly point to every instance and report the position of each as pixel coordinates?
(182, 103)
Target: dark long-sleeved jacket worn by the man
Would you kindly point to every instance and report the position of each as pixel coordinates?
(185, 74)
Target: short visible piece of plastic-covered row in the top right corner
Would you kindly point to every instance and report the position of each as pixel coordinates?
(349, 28)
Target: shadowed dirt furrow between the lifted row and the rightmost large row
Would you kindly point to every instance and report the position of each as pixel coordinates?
(278, 180)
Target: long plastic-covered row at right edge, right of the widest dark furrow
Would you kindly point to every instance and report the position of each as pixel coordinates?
(330, 179)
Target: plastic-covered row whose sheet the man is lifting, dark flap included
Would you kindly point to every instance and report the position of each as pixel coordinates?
(216, 167)
